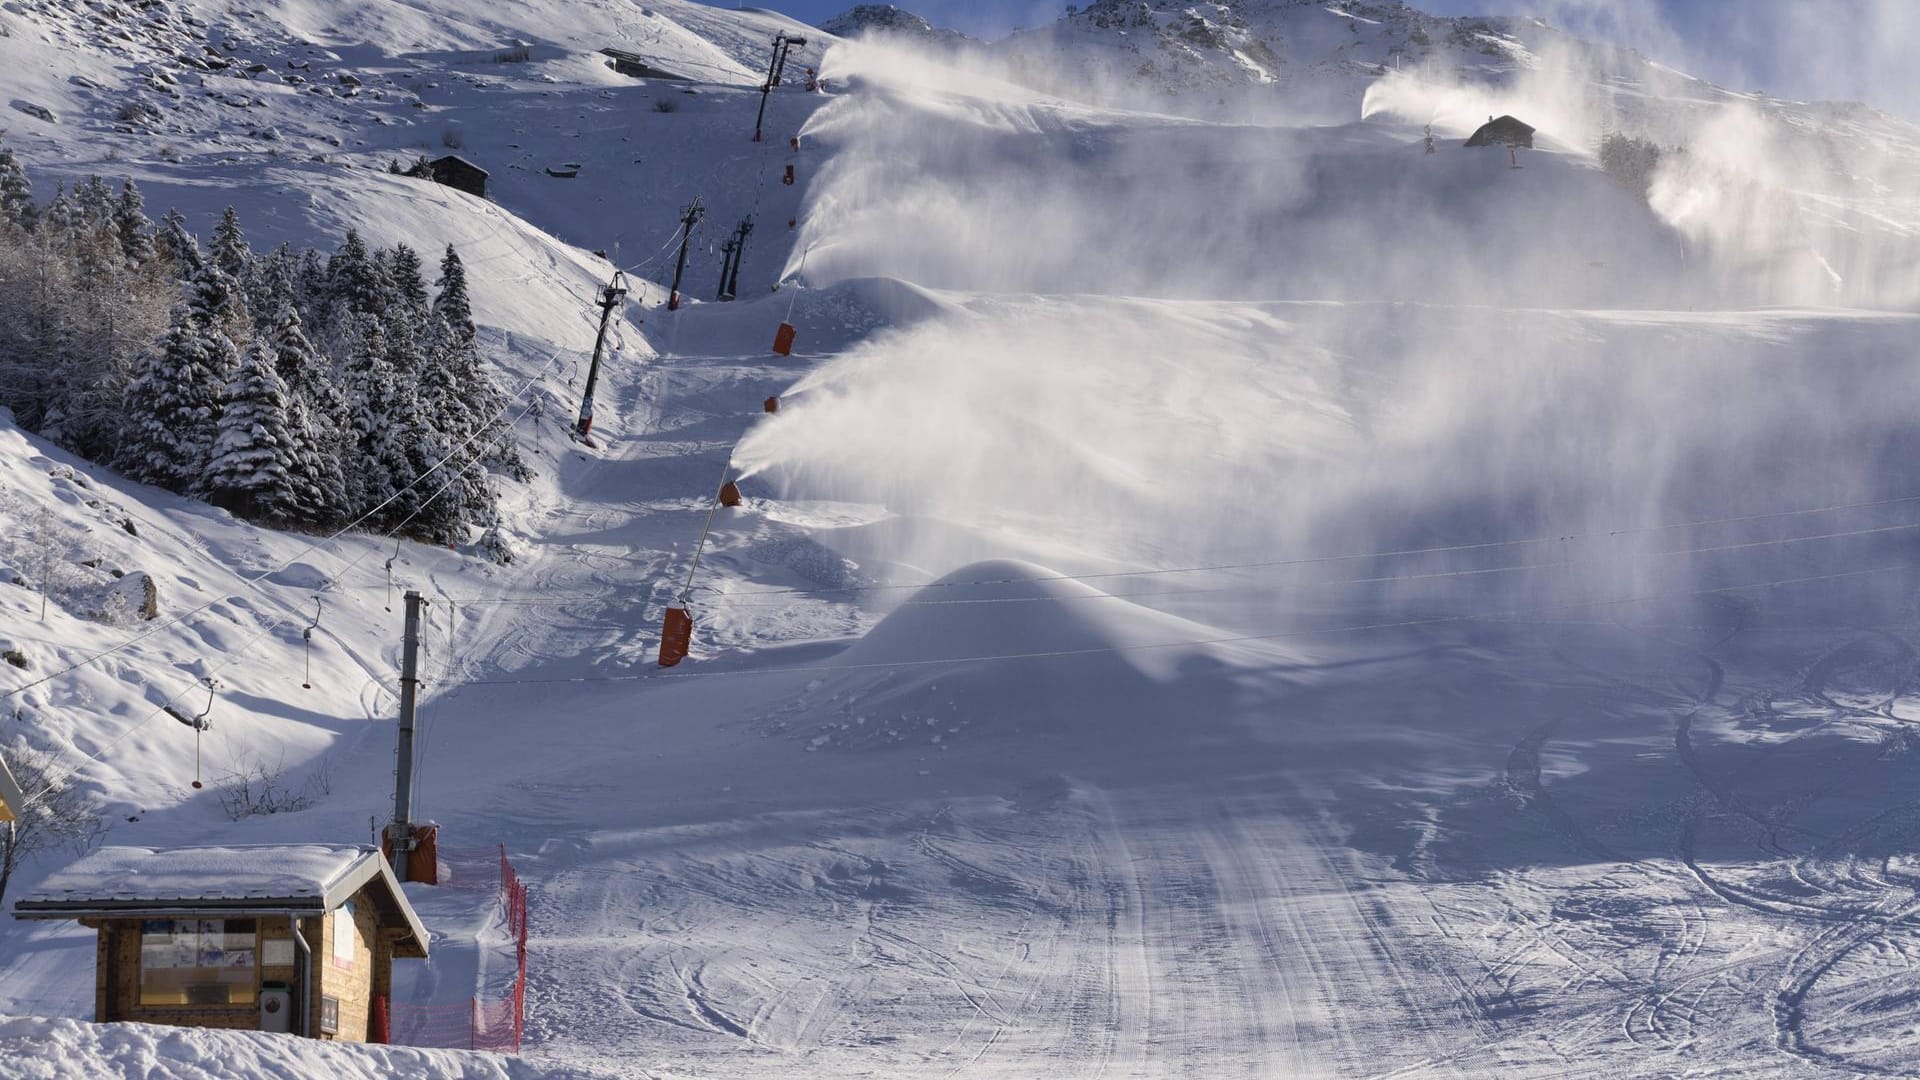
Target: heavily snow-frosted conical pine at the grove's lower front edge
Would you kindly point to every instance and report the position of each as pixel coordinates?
(252, 468)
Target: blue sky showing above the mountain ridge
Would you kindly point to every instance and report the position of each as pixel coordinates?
(1790, 49)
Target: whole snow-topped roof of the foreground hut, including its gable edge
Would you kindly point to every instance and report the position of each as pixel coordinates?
(251, 879)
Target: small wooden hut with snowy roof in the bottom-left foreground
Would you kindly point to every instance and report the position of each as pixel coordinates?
(277, 939)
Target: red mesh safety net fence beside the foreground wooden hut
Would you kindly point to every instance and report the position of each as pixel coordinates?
(492, 1019)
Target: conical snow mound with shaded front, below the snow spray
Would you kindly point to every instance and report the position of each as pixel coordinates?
(1013, 649)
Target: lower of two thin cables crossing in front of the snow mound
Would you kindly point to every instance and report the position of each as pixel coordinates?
(1191, 643)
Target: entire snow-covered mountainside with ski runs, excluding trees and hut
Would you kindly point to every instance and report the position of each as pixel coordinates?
(1226, 591)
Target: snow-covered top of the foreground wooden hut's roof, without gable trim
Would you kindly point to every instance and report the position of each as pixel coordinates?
(183, 875)
